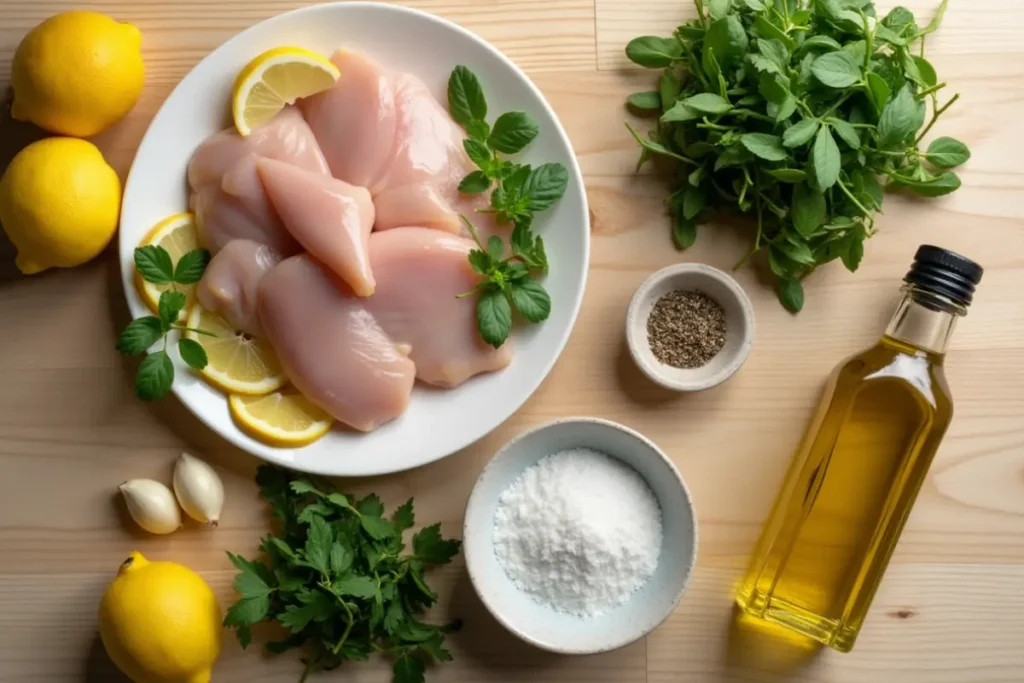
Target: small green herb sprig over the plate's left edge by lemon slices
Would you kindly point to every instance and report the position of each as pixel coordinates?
(156, 373)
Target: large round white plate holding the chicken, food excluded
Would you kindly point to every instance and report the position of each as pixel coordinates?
(438, 423)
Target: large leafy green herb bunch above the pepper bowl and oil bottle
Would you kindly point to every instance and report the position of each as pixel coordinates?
(797, 112)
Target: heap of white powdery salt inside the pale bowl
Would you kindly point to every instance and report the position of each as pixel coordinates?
(579, 532)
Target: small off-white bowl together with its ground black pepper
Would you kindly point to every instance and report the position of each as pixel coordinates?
(690, 327)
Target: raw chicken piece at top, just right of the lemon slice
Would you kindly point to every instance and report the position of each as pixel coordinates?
(355, 121)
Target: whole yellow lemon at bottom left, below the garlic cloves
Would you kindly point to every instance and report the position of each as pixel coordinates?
(160, 623)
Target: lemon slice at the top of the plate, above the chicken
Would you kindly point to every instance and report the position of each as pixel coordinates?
(277, 79)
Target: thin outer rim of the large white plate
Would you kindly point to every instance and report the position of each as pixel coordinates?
(271, 454)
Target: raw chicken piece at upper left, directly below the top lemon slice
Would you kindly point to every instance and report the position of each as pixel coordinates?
(227, 195)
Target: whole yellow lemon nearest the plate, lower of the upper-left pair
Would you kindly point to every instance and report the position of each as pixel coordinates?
(60, 203)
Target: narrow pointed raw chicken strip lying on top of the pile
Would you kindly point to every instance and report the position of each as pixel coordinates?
(330, 219)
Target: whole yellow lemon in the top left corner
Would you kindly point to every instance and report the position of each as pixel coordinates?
(77, 73)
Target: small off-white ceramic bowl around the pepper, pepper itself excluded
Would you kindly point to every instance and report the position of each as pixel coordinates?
(739, 324)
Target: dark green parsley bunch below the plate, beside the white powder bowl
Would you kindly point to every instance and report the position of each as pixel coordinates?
(336, 578)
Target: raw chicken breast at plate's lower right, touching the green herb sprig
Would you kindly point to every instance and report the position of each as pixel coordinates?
(420, 273)
